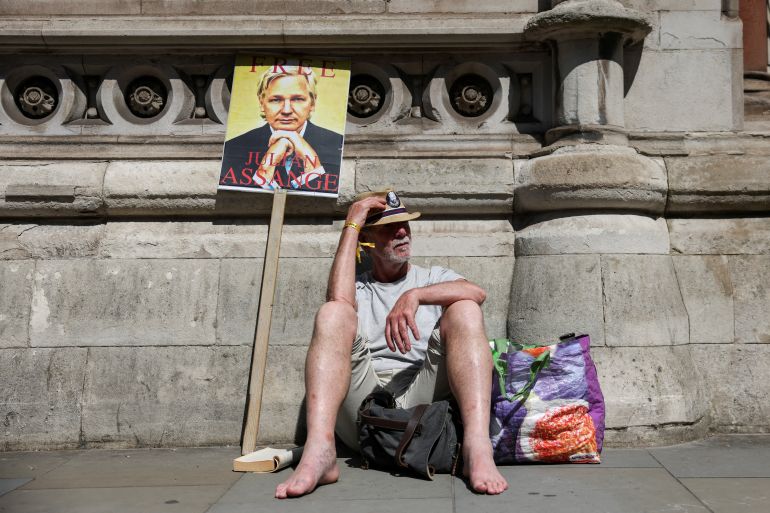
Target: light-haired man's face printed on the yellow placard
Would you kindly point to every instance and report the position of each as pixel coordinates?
(287, 103)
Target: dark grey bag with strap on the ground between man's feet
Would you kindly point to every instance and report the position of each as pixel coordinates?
(424, 439)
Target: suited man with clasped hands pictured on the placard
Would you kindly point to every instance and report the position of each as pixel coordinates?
(289, 151)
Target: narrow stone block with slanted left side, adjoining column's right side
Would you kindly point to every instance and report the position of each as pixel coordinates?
(707, 292)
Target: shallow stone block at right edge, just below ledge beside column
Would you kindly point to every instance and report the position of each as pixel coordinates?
(720, 236)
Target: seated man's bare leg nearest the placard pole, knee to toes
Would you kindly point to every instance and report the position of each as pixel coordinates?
(327, 377)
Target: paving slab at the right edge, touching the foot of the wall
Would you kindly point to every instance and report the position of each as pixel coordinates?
(721, 457)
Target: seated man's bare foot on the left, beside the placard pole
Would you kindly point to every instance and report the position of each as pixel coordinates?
(318, 466)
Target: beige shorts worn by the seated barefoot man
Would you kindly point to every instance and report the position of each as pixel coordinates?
(411, 387)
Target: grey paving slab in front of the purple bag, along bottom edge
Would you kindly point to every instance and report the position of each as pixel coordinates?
(577, 490)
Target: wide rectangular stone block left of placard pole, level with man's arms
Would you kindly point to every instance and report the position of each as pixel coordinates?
(123, 302)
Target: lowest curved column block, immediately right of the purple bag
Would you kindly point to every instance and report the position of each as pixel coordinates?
(648, 387)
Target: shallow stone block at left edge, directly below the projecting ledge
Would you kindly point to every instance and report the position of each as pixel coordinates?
(58, 240)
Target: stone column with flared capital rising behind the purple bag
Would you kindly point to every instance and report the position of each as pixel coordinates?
(592, 248)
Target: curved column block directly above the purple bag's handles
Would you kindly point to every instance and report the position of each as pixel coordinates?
(555, 295)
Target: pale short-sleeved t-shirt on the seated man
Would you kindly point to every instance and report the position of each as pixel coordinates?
(376, 299)
